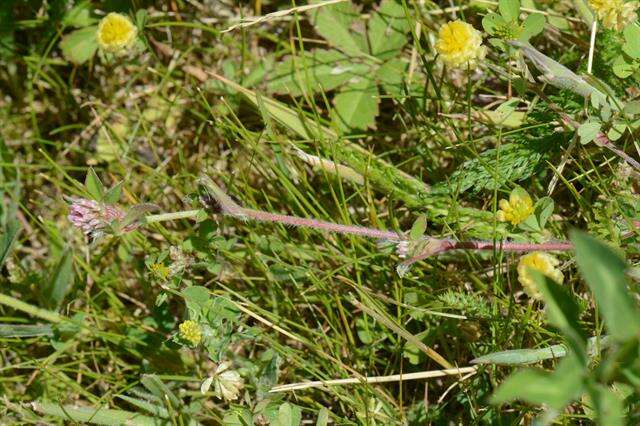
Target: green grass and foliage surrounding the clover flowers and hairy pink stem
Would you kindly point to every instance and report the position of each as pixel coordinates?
(341, 113)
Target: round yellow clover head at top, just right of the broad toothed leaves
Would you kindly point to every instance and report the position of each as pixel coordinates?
(460, 44)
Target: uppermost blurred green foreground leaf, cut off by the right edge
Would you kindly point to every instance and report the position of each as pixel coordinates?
(604, 272)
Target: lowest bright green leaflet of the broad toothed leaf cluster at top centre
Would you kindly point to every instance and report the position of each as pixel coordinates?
(356, 106)
